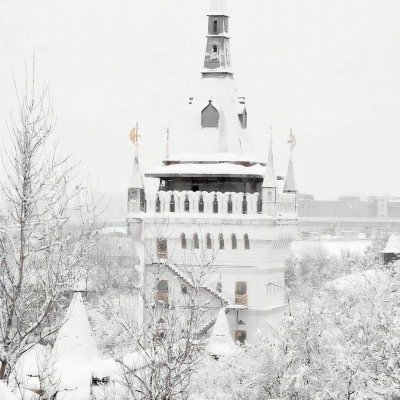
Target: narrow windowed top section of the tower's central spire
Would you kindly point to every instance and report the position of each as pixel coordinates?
(217, 58)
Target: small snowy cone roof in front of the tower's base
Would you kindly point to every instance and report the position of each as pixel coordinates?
(221, 342)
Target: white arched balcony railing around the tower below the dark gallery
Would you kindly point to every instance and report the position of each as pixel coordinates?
(214, 203)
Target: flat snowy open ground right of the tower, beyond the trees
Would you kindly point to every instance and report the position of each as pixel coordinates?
(332, 248)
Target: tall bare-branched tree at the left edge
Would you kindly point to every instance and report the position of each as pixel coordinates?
(42, 250)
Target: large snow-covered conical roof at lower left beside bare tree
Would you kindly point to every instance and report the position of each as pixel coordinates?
(74, 356)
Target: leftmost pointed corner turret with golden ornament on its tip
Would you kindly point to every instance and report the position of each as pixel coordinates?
(136, 185)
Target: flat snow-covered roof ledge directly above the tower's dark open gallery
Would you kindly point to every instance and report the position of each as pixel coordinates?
(198, 170)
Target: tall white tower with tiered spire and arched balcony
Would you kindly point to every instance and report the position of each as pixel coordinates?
(217, 200)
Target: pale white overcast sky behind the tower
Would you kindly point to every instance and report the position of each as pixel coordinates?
(327, 69)
